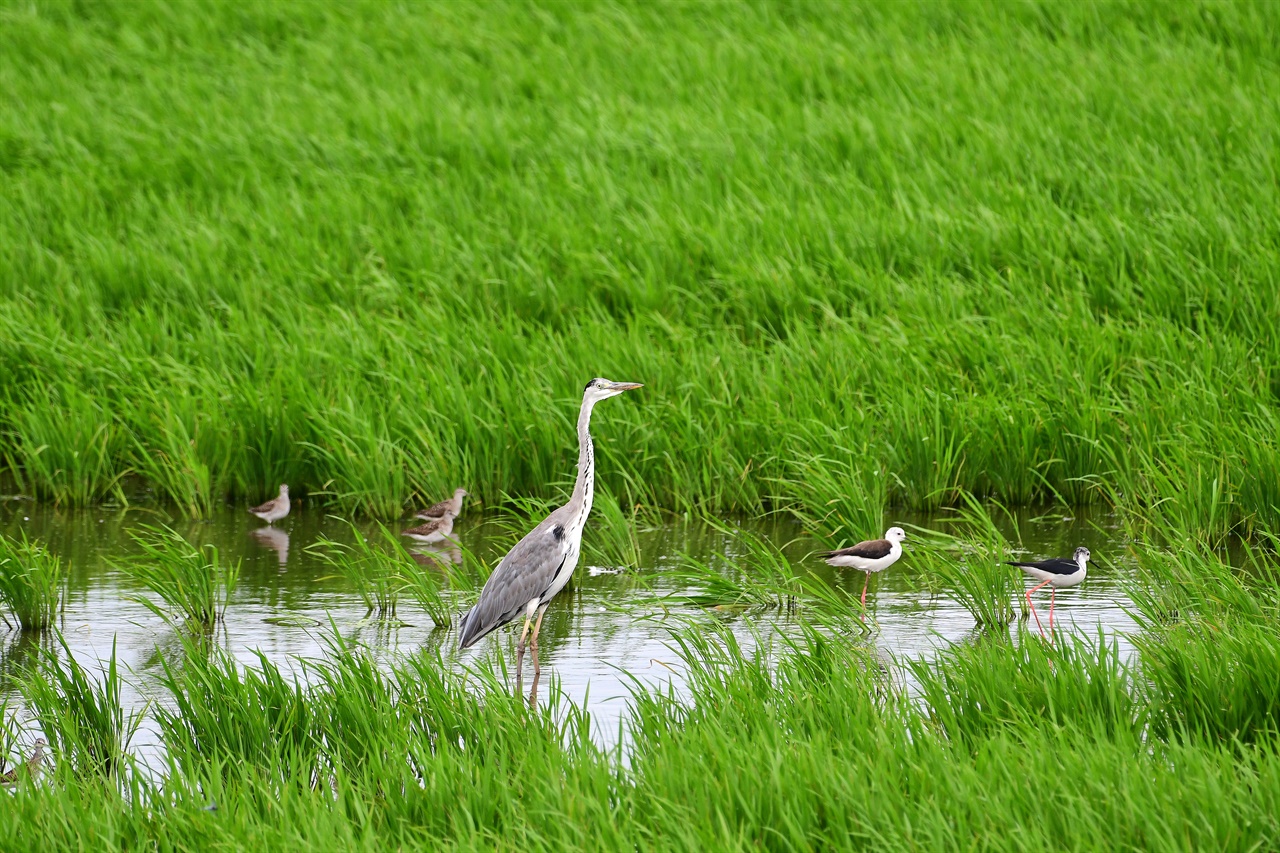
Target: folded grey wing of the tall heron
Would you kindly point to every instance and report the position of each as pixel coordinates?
(523, 576)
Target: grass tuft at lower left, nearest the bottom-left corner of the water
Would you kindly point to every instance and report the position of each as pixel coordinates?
(83, 717)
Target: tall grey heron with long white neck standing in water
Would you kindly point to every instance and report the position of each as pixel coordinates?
(541, 564)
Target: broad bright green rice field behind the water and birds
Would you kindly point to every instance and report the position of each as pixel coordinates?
(376, 250)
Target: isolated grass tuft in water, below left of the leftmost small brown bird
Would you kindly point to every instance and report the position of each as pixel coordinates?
(190, 581)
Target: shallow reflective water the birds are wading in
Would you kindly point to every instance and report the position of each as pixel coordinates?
(598, 640)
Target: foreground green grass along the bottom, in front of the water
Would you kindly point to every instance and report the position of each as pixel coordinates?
(810, 743)
